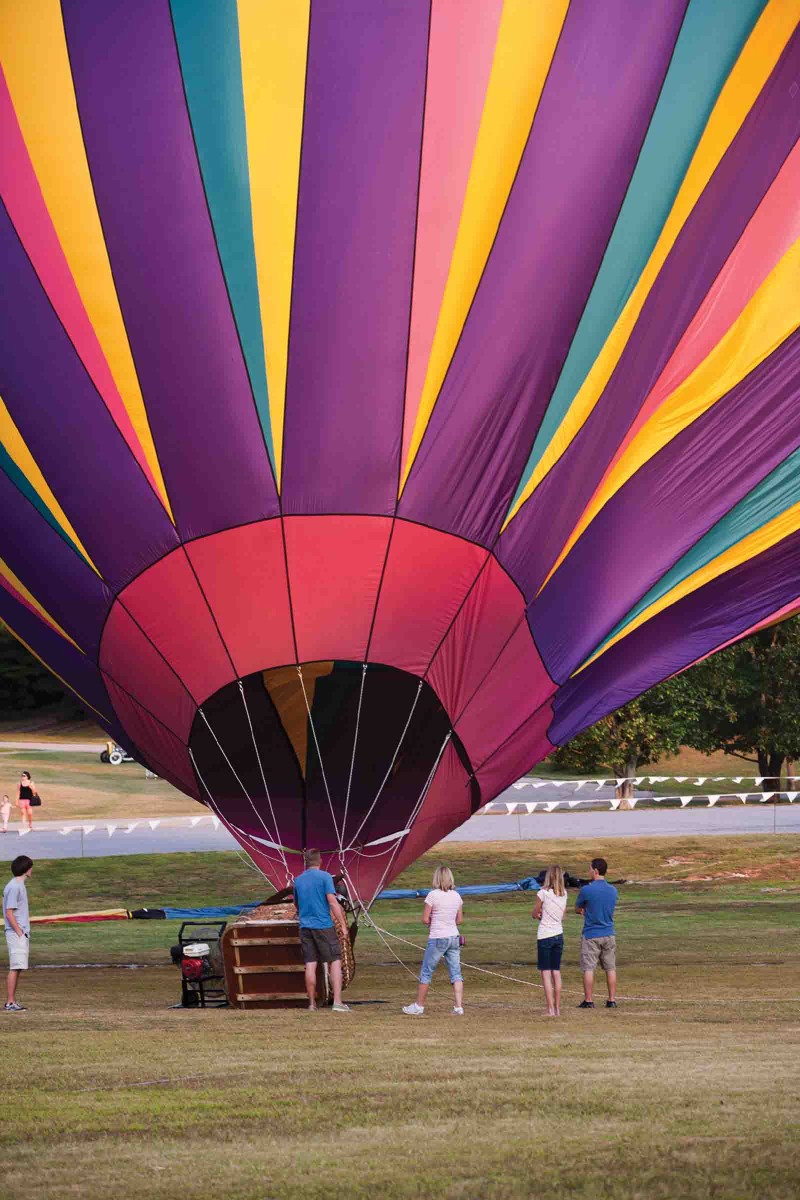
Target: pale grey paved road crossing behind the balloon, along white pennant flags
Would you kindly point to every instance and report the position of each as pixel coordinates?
(47, 841)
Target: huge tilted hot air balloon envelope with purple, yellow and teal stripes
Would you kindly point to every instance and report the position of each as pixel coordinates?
(389, 392)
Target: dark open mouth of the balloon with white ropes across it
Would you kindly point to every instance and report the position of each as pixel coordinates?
(344, 749)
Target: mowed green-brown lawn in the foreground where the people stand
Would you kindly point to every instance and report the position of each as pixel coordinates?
(690, 1089)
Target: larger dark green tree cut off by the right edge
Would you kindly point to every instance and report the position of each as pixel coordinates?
(748, 701)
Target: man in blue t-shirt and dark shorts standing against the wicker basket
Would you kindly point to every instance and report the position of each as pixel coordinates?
(317, 904)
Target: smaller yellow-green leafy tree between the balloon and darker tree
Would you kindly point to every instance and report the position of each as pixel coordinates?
(640, 734)
